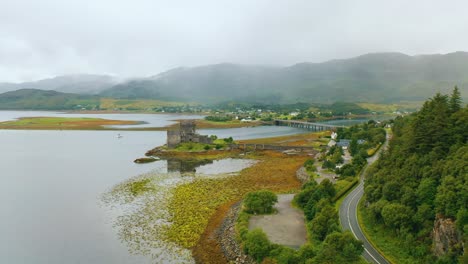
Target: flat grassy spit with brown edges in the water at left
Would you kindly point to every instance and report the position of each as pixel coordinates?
(58, 123)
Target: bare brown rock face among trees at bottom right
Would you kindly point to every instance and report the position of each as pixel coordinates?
(446, 238)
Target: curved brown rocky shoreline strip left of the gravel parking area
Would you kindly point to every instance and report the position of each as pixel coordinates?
(226, 236)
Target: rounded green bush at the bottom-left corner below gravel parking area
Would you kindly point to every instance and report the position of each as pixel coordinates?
(257, 245)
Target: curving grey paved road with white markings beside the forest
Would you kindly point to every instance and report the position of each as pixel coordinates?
(348, 214)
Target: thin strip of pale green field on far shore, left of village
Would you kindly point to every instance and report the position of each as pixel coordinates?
(122, 104)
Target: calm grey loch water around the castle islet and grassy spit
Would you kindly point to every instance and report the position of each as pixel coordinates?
(51, 183)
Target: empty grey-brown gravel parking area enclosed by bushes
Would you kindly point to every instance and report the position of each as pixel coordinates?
(286, 227)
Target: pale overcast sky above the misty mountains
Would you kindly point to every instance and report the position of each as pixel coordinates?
(46, 38)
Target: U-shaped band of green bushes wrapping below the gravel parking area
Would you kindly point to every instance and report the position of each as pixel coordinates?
(327, 244)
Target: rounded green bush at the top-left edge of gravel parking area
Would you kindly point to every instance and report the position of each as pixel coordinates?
(260, 202)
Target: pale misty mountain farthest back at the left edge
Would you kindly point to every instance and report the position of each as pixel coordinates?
(79, 83)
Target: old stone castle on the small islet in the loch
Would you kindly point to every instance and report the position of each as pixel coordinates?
(186, 133)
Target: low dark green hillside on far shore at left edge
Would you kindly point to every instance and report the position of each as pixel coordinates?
(46, 100)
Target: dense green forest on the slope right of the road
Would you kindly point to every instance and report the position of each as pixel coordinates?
(423, 175)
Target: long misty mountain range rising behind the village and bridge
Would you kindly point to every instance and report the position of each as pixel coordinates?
(379, 77)
